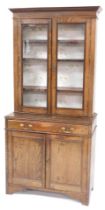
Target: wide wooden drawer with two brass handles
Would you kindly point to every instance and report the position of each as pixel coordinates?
(47, 127)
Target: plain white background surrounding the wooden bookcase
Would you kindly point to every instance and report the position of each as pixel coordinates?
(38, 201)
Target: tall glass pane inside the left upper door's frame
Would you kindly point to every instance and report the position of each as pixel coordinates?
(35, 47)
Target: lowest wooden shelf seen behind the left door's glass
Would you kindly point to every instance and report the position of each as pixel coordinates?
(41, 89)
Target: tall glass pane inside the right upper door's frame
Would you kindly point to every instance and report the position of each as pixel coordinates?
(70, 65)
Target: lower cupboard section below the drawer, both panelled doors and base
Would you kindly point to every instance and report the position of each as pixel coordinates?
(58, 163)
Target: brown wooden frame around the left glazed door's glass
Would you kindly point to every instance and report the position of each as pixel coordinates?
(18, 69)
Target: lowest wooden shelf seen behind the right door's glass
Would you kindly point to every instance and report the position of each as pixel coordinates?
(69, 90)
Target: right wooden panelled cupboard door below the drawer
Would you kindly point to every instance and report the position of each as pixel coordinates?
(66, 163)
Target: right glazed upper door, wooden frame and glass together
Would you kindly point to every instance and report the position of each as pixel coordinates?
(70, 65)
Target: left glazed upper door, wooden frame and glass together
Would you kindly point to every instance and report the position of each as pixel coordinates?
(34, 60)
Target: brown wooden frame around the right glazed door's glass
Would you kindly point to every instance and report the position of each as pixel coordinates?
(86, 94)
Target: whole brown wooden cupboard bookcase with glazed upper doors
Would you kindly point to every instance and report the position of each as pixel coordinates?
(50, 136)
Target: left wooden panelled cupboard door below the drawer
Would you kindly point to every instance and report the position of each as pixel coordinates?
(26, 159)
